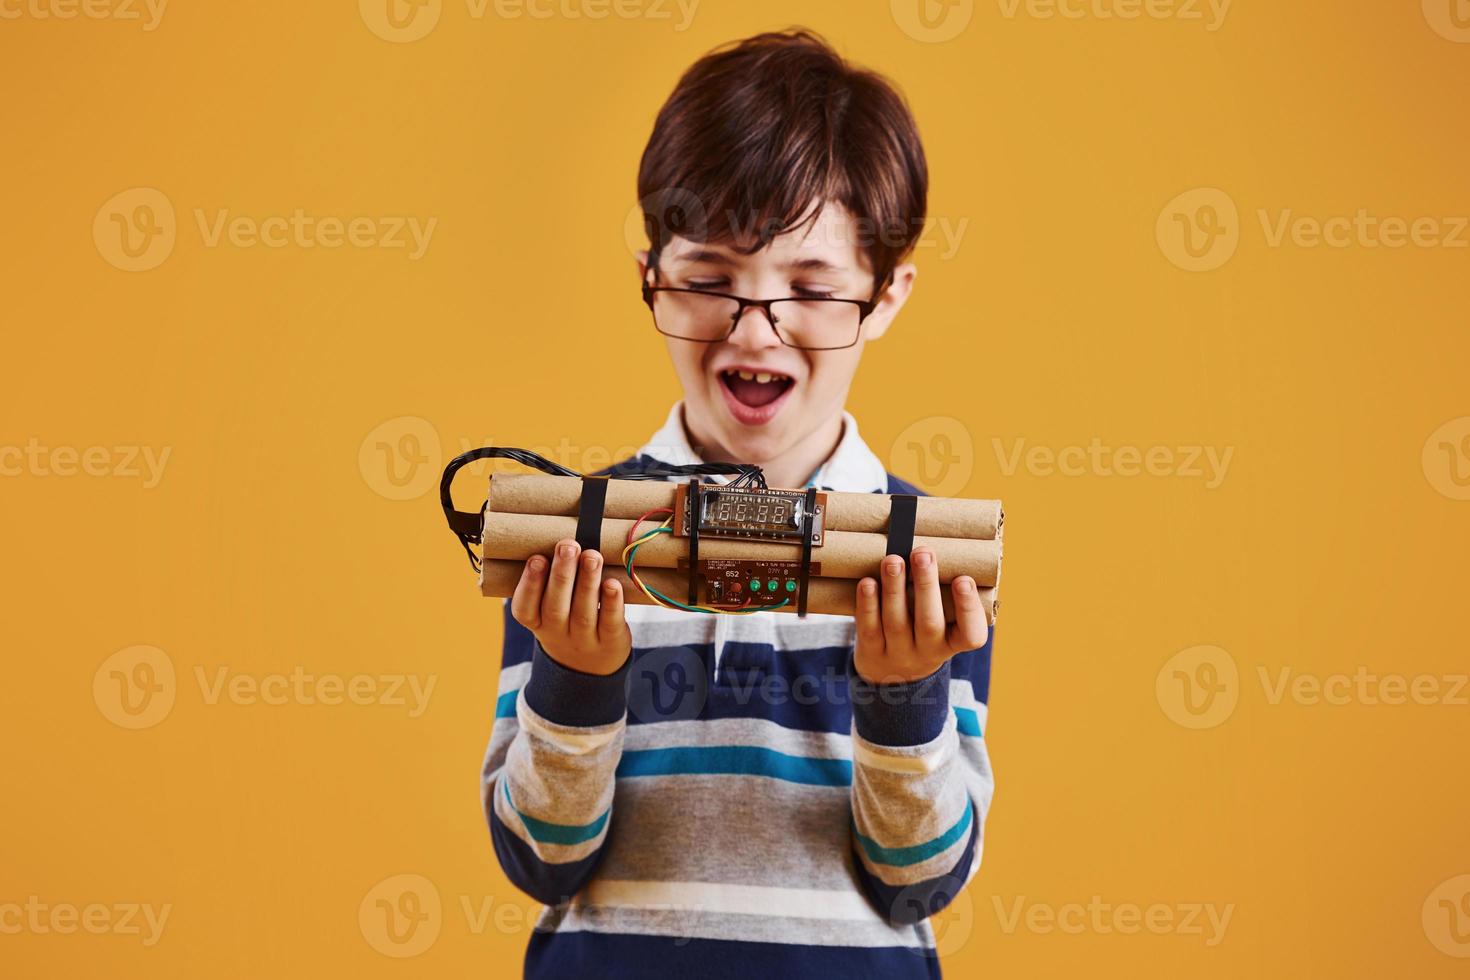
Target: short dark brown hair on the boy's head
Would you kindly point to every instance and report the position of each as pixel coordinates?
(758, 133)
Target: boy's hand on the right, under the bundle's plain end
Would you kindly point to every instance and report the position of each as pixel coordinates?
(897, 646)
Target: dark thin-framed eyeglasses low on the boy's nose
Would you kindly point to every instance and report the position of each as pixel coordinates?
(820, 324)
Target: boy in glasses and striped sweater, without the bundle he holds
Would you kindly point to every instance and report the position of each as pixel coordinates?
(699, 796)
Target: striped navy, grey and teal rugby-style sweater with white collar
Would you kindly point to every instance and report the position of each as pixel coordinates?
(737, 801)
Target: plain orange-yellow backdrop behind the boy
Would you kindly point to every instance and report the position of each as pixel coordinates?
(273, 541)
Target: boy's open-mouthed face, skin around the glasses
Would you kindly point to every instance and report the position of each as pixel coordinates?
(752, 396)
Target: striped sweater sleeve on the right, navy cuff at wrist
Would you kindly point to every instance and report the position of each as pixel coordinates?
(922, 785)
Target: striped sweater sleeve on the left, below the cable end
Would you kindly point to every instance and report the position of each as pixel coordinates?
(549, 775)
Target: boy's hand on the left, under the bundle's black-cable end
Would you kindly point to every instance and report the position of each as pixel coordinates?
(561, 606)
